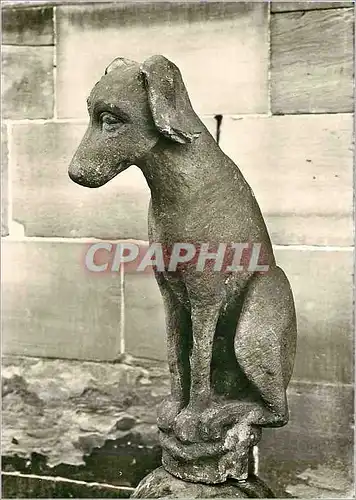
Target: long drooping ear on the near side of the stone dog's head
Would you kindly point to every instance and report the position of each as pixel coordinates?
(168, 99)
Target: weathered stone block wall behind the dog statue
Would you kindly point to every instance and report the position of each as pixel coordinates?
(281, 76)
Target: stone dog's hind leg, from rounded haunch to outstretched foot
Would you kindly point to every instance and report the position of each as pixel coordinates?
(265, 344)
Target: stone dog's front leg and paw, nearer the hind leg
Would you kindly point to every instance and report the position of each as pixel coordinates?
(204, 319)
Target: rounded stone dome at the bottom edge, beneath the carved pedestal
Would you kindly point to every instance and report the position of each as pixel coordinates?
(161, 484)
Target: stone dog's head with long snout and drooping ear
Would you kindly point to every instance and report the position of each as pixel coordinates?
(130, 108)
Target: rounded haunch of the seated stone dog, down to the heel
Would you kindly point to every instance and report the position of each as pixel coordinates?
(265, 341)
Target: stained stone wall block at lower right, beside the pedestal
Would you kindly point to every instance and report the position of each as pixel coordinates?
(313, 454)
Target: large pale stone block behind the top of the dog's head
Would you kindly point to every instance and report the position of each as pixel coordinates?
(185, 31)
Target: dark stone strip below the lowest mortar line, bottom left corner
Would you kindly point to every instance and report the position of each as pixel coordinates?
(19, 486)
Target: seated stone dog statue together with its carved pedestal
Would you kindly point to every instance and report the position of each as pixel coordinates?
(231, 336)
